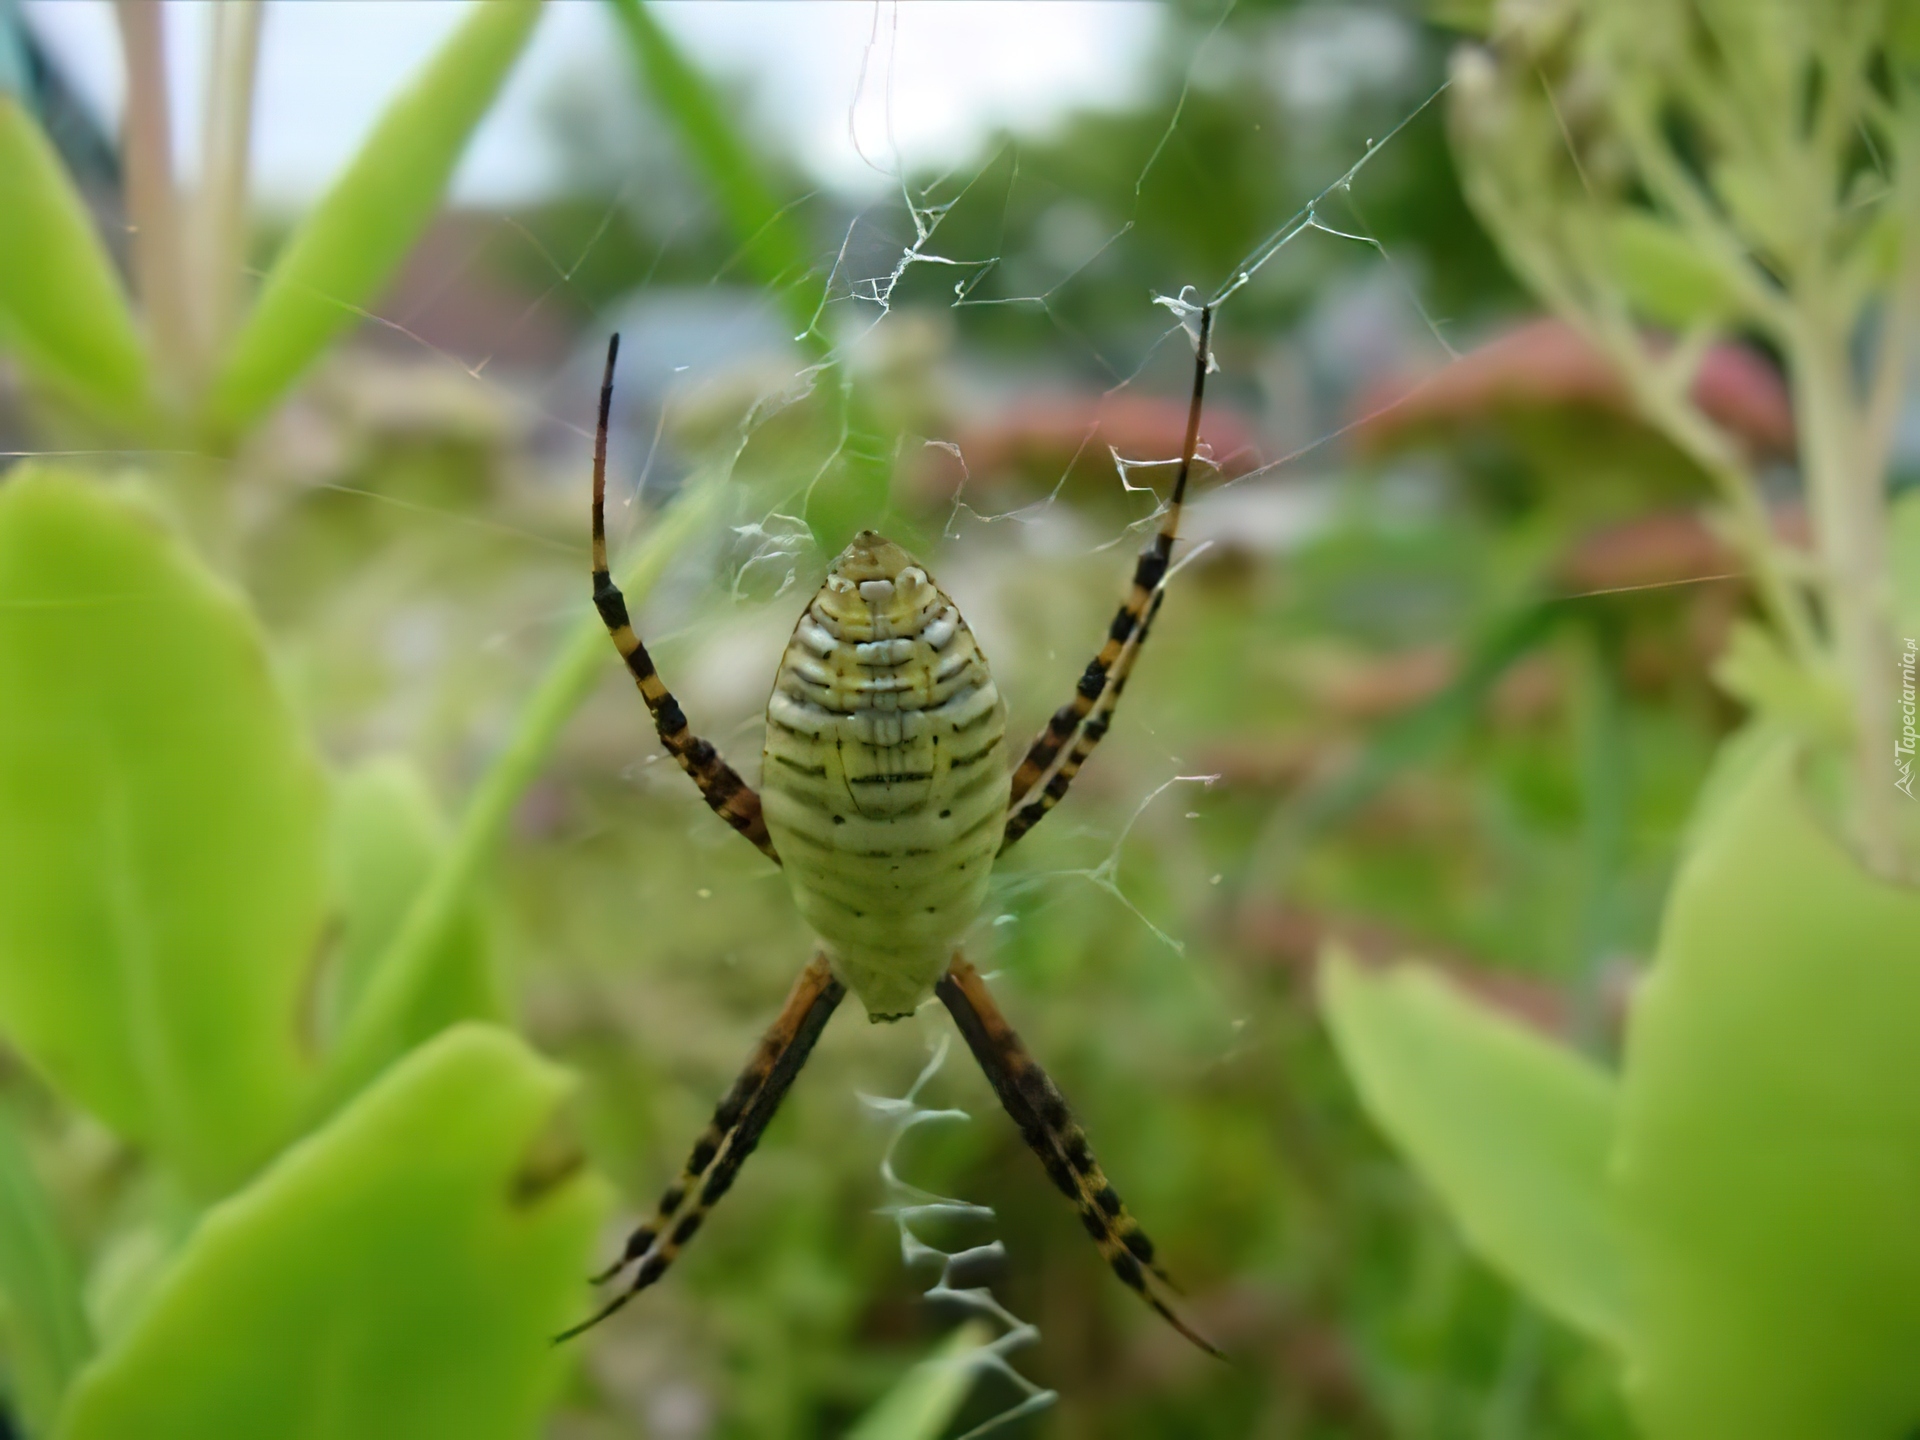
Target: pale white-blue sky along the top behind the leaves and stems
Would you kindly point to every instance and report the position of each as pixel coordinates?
(853, 85)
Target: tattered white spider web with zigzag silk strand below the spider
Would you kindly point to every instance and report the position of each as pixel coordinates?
(873, 289)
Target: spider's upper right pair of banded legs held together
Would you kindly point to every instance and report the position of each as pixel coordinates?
(1107, 675)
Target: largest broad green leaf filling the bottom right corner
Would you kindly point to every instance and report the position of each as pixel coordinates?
(1769, 1161)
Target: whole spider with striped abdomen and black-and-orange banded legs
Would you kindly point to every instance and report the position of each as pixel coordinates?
(884, 798)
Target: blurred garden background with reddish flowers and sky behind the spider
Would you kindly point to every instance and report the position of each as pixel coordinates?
(1433, 683)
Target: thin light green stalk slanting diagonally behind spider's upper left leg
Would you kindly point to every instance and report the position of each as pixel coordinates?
(372, 1034)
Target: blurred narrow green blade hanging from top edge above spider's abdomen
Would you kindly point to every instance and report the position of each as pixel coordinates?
(853, 491)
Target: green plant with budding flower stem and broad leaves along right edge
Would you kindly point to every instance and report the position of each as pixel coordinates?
(1719, 170)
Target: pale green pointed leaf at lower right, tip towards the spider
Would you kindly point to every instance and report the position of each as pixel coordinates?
(1510, 1130)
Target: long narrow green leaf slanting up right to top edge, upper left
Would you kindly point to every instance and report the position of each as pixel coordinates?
(347, 251)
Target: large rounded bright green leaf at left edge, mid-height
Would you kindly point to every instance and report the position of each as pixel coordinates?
(160, 834)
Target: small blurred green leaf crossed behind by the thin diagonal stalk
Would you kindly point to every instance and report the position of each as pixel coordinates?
(387, 838)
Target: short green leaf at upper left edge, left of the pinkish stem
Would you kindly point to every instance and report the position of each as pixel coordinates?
(62, 310)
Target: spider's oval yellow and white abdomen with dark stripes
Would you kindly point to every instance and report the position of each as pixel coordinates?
(884, 780)
